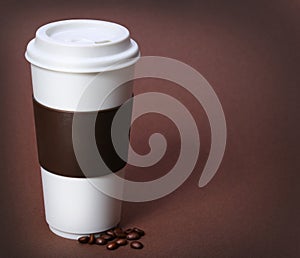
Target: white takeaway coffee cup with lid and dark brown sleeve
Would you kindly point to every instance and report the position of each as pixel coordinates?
(66, 56)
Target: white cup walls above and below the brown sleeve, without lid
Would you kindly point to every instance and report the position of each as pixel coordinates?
(73, 206)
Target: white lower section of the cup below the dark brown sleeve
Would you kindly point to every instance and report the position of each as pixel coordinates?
(74, 207)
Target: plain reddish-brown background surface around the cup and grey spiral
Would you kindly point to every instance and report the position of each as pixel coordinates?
(249, 52)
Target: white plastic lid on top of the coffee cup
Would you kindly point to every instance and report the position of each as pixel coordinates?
(82, 46)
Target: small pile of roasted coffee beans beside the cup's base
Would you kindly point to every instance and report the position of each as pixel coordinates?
(116, 237)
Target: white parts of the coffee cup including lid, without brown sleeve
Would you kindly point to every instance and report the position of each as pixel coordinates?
(65, 57)
